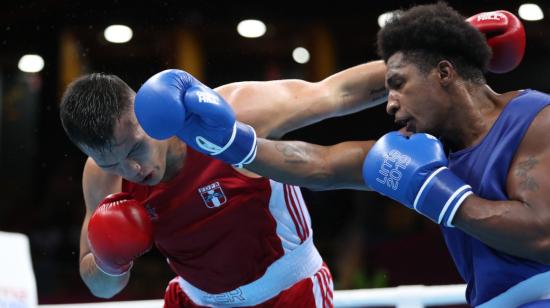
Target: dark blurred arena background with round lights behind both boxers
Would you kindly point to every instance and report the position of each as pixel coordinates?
(367, 241)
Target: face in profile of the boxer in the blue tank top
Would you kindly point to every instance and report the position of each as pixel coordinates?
(415, 98)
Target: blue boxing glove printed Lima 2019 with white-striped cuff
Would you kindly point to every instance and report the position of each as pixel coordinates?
(413, 170)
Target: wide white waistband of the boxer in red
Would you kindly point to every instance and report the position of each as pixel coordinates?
(301, 263)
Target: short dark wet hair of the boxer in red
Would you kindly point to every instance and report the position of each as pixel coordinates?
(91, 107)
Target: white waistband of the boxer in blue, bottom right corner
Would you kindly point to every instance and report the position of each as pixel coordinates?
(531, 289)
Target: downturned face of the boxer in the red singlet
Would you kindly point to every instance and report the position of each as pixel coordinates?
(133, 155)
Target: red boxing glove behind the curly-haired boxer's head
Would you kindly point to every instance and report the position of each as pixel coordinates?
(506, 37)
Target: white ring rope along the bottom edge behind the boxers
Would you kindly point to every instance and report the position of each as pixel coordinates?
(413, 296)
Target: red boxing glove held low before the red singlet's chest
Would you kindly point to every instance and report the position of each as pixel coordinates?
(119, 231)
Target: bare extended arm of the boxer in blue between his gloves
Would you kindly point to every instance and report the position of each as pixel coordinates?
(309, 165)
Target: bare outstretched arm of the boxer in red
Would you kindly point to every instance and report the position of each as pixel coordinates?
(274, 108)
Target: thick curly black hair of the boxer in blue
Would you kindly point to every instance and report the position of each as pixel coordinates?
(427, 34)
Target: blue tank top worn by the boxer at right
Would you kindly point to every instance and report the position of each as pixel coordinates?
(485, 166)
